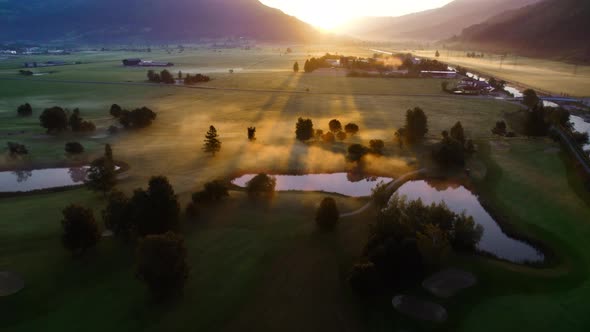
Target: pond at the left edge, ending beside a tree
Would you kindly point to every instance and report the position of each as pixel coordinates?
(23, 181)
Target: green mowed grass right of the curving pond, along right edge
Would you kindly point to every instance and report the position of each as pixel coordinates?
(541, 195)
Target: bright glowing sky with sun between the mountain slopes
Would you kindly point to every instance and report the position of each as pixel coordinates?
(328, 14)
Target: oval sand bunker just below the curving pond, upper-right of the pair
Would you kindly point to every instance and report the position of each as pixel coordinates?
(449, 282)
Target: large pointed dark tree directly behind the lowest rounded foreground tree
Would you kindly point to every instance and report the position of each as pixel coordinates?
(155, 210)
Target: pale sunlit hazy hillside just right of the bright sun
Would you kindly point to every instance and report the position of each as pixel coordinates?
(434, 24)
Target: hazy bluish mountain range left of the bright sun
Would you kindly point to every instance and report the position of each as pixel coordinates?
(112, 21)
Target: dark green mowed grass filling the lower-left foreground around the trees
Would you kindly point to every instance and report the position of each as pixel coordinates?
(237, 253)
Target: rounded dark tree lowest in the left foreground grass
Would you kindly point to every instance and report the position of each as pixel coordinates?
(162, 265)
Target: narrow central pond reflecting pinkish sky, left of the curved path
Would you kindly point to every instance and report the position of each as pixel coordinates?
(340, 183)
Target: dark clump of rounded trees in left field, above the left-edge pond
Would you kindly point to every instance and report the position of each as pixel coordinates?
(57, 119)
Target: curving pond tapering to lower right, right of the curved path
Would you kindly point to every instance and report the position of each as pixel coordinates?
(459, 199)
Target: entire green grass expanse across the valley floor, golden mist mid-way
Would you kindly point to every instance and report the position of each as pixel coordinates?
(265, 267)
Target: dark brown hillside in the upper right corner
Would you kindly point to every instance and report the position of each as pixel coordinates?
(552, 28)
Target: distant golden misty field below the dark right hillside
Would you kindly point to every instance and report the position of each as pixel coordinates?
(546, 75)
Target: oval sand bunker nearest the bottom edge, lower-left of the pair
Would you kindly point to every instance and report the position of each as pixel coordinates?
(419, 309)
